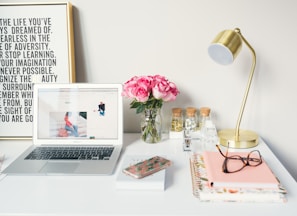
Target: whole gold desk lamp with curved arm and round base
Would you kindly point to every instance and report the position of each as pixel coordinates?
(224, 49)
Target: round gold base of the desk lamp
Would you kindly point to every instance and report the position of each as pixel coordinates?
(246, 138)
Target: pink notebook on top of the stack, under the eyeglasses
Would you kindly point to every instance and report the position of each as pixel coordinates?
(249, 177)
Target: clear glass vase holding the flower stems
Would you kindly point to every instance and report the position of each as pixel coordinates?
(151, 125)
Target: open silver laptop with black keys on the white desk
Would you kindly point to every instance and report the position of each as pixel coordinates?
(77, 130)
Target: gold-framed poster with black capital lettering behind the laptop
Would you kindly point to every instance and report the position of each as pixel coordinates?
(36, 46)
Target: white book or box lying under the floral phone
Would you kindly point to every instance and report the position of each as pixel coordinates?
(154, 182)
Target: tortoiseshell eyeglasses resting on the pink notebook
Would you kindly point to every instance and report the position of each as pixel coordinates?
(235, 163)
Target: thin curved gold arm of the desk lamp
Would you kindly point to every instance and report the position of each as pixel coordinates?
(252, 70)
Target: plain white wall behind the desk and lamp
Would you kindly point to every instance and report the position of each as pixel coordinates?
(117, 39)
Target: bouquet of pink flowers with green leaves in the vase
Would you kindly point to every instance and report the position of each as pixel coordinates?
(149, 92)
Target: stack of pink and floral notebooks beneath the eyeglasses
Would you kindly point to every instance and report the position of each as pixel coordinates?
(251, 184)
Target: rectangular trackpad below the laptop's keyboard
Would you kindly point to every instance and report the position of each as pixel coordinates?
(59, 167)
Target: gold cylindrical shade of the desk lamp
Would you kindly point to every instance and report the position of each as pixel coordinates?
(225, 47)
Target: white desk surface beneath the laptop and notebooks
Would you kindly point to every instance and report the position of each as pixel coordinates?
(97, 195)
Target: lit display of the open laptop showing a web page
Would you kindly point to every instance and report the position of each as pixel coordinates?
(76, 113)
